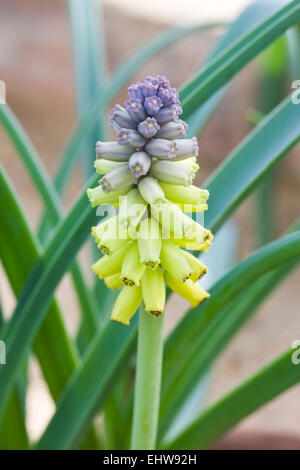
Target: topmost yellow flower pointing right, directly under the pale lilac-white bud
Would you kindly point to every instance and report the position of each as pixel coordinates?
(185, 194)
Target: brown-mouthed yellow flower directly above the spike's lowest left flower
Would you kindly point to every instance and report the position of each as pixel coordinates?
(132, 269)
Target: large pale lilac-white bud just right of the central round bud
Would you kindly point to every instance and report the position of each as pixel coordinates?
(170, 172)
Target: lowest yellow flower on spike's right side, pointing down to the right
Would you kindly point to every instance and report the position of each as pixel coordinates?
(189, 290)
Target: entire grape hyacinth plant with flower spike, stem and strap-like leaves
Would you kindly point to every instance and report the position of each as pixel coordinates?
(149, 226)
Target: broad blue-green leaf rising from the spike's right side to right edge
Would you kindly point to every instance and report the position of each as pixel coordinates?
(255, 156)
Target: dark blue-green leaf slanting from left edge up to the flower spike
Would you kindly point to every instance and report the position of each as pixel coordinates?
(36, 296)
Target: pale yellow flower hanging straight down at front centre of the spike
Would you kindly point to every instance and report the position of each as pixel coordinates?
(149, 242)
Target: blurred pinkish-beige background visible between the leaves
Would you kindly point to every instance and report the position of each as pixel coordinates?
(36, 65)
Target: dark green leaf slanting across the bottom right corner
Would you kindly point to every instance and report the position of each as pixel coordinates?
(260, 388)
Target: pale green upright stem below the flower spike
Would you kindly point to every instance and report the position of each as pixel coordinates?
(148, 381)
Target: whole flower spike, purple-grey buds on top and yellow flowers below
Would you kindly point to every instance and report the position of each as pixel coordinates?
(147, 175)
